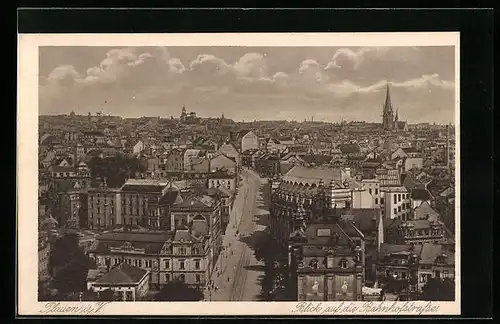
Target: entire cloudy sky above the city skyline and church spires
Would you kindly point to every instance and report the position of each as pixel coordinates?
(247, 83)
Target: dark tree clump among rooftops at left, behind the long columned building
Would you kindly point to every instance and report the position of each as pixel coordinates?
(115, 169)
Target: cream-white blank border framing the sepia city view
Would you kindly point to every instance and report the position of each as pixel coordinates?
(27, 173)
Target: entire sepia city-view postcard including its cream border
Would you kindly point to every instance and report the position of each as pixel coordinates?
(322, 170)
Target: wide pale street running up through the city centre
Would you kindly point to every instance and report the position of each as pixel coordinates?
(237, 271)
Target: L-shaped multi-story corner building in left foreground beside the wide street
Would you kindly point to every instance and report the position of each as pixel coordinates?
(185, 253)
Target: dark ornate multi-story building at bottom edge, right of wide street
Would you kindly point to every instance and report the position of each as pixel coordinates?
(326, 259)
